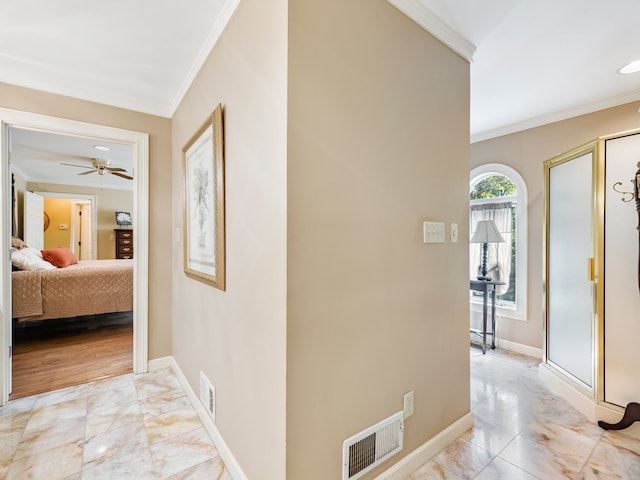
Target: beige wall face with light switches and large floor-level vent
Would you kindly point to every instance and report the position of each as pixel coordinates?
(378, 142)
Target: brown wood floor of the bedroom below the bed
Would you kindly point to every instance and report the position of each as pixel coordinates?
(62, 353)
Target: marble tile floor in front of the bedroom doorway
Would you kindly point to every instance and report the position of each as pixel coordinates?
(126, 427)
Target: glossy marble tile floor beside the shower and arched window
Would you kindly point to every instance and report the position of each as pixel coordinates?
(524, 432)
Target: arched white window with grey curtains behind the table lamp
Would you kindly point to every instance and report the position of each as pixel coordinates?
(497, 192)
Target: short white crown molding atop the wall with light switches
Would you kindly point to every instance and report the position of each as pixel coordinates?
(419, 13)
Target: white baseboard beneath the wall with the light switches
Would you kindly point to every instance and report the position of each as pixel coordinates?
(421, 455)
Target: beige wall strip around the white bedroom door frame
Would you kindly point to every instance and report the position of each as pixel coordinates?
(160, 229)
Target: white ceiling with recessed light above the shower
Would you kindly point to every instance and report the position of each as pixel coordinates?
(539, 61)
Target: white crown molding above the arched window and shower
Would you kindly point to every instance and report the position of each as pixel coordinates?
(557, 116)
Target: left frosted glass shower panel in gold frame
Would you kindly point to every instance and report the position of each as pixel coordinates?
(570, 315)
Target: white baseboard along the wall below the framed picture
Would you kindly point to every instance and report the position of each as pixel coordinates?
(223, 450)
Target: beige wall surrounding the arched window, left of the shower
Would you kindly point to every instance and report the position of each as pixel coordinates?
(525, 152)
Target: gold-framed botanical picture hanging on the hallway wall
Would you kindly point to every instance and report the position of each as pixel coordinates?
(203, 171)
